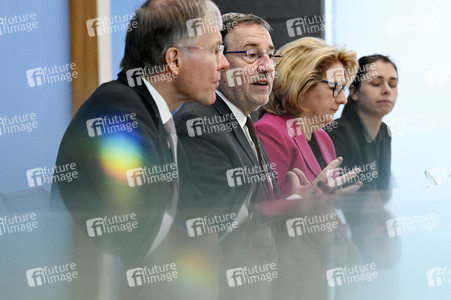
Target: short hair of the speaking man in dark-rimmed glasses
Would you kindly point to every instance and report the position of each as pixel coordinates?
(231, 20)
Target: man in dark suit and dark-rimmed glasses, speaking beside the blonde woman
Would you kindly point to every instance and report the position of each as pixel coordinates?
(217, 138)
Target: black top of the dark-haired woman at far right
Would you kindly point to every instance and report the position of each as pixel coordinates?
(353, 142)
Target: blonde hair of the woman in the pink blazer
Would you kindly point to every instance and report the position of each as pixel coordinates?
(304, 62)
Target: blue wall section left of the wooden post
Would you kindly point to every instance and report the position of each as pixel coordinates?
(46, 45)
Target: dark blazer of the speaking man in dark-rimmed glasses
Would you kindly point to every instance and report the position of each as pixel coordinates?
(212, 154)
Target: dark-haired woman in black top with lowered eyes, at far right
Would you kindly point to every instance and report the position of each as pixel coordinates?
(360, 137)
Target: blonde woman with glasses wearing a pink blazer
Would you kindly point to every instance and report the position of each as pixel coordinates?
(309, 88)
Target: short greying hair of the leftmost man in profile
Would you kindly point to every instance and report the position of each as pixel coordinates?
(159, 25)
